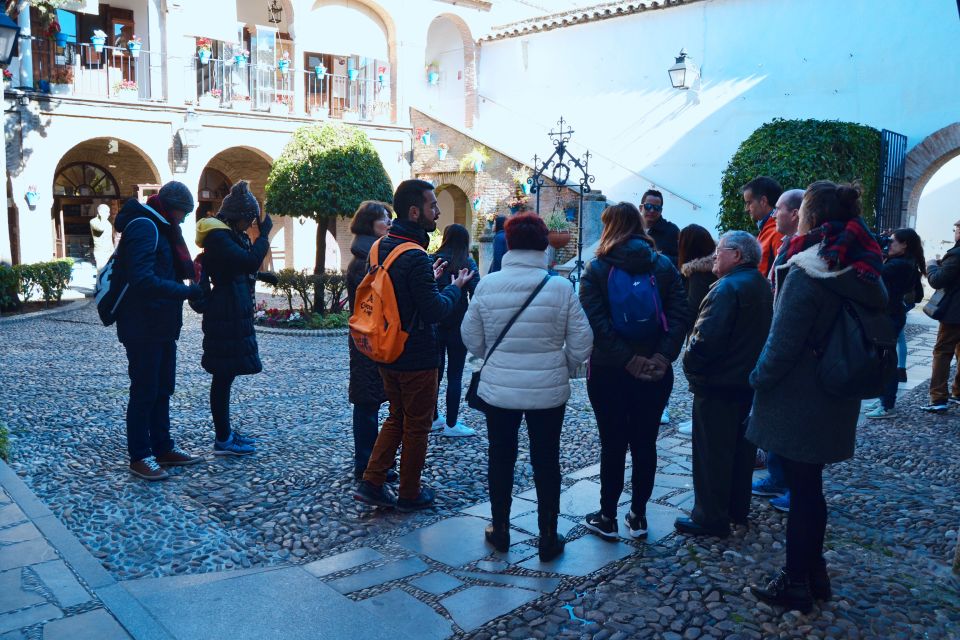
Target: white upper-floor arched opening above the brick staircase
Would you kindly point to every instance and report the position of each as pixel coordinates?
(451, 53)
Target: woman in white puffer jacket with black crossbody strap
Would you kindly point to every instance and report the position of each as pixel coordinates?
(528, 375)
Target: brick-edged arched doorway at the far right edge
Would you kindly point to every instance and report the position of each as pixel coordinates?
(931, 188)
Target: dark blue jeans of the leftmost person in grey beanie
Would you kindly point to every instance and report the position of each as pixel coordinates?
(152, 367)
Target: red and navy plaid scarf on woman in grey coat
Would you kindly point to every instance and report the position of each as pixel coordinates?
(842, 245)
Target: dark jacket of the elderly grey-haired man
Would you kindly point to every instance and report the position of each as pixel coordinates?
(730, 332)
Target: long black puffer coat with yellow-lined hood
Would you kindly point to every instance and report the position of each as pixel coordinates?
(229, 338)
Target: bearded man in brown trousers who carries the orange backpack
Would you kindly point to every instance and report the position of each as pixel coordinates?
(410, 382)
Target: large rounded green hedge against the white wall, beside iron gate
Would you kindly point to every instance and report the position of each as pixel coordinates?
(796, 153)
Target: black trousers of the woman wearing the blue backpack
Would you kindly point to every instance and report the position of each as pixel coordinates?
(628, 415)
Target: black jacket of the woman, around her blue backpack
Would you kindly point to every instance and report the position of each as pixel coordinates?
(634, 256)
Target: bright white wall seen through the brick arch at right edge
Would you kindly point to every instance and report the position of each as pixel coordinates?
(939, 209)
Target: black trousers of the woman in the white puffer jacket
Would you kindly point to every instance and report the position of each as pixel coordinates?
(543, 428)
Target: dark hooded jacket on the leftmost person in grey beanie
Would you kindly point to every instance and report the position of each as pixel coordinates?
(152, 309)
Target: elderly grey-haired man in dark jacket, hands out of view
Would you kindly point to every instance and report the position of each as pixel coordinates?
(724, 347)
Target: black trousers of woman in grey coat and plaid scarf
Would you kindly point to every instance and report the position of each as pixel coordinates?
(807, 520)
